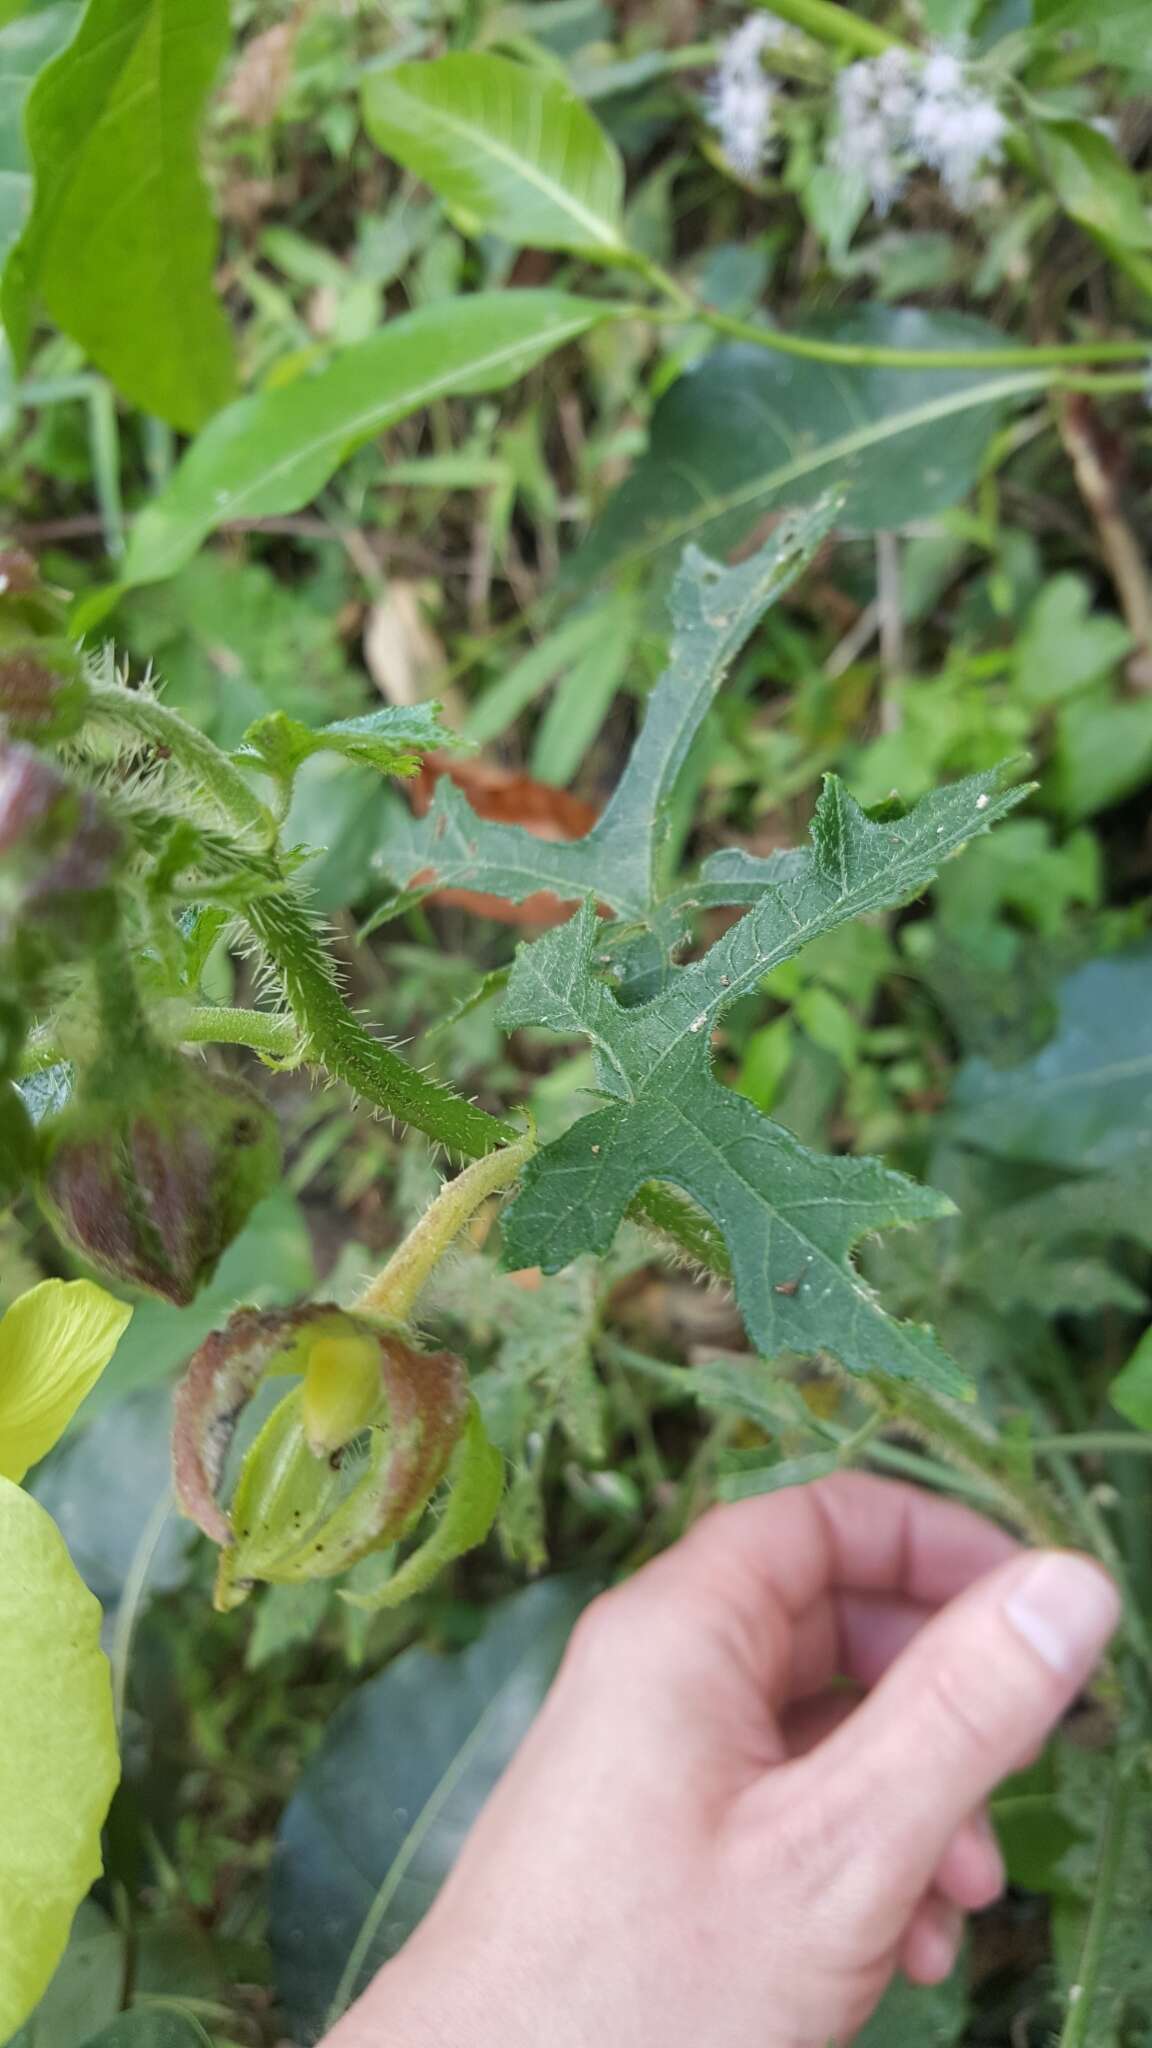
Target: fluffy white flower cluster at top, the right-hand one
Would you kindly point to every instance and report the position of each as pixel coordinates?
(899, 112)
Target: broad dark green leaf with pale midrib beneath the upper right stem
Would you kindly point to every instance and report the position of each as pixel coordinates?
(747, 431)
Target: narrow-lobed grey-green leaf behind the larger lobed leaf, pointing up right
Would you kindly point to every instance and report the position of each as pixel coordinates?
(622, 859)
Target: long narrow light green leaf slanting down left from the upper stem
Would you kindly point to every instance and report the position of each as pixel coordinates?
(272, 454)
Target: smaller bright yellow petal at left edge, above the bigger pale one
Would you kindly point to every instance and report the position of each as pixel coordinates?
(54, 1345)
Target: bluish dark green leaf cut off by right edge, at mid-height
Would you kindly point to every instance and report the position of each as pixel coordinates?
(1085, 1101)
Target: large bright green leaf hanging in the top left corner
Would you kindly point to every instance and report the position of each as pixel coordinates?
(122, 241)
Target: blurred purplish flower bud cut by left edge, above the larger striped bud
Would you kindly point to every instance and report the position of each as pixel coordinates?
(58, 849)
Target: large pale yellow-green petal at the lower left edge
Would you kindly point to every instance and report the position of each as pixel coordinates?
(58, 1760)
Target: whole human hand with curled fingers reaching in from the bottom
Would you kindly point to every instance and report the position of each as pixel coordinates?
(706, 1840)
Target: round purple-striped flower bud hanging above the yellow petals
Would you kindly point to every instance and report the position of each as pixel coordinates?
(151, 1177)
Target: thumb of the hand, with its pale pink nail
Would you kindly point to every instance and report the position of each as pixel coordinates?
(977, 1691)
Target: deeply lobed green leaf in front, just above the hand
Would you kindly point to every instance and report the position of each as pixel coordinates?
(790, 1218)
